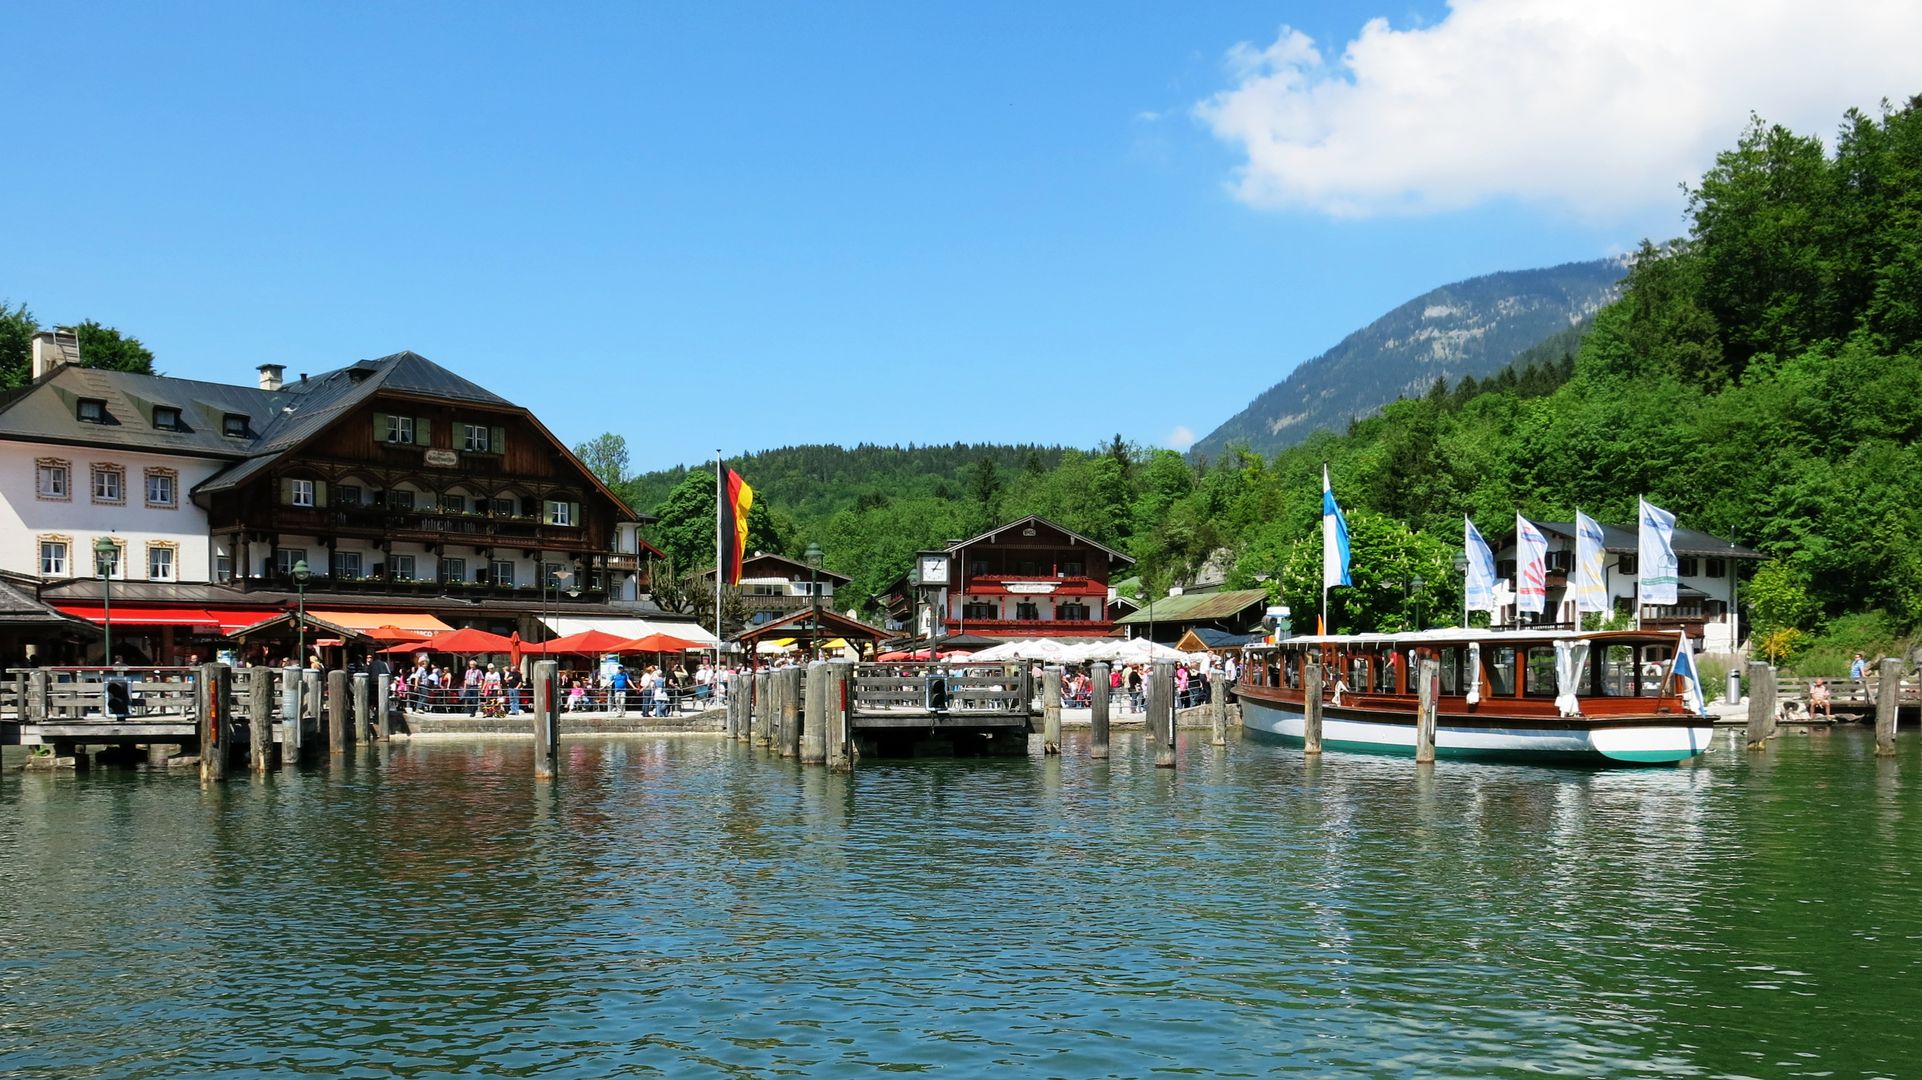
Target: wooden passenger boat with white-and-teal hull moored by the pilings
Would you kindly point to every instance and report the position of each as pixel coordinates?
(1546, 697)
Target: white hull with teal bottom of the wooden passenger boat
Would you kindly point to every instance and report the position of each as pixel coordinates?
(1506, 741)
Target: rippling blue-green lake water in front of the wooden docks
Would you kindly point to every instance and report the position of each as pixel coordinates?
(695, 908)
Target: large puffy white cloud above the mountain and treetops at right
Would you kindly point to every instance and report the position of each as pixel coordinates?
(1590, 107)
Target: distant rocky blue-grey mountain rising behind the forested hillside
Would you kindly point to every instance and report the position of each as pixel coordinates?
(1471, 328)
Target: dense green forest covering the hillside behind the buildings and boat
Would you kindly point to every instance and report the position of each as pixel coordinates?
(1762, 378)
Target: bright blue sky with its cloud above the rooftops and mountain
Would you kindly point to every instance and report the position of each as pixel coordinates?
(754, 226)
